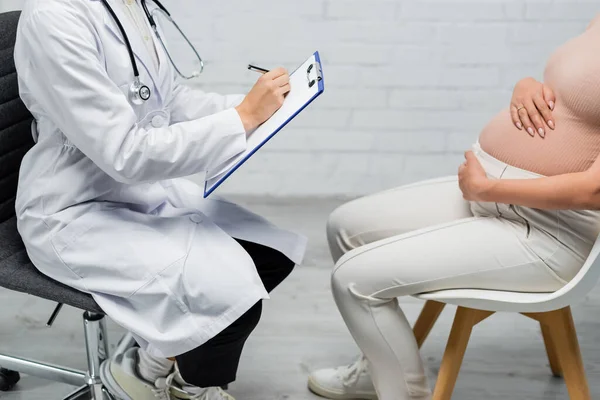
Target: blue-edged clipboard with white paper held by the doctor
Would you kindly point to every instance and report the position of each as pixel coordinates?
(307, 84)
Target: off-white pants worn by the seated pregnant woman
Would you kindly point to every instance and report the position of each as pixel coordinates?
(425, 237)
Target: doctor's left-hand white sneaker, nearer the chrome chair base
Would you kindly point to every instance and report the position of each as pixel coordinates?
(119, 375)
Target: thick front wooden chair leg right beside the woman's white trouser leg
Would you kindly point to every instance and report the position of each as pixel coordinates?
(464, 321)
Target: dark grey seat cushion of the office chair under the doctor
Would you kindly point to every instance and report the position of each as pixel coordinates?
(19, 274)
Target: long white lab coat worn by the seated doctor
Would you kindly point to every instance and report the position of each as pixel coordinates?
(102, 205)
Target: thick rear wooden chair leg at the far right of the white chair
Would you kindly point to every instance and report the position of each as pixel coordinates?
(562, 331)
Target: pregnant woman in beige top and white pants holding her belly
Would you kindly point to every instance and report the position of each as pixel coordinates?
(517, 218)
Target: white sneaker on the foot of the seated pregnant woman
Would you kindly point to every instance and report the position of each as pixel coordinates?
(344, 383)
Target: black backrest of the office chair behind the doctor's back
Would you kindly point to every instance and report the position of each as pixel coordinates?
(15, 119)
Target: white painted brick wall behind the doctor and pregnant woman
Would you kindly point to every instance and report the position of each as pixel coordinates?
(410, 83)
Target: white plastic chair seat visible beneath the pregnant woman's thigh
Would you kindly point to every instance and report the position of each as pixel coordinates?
(491, 300)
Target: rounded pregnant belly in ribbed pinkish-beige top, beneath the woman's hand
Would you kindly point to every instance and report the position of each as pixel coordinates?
(572, 147)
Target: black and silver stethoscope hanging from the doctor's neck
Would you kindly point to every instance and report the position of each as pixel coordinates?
(138, 92)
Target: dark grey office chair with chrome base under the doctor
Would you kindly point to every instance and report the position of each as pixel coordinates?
(16, 270)
